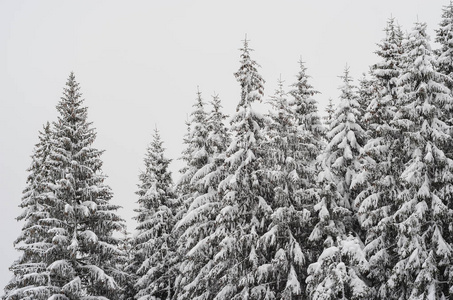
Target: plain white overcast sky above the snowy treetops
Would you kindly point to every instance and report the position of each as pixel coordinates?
(139, 64)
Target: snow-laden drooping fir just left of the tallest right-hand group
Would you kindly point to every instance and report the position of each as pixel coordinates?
(341, 264)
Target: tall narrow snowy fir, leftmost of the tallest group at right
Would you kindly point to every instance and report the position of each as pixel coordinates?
(381, 164)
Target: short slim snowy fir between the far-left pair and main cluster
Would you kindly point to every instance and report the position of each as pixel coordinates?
(153, 243)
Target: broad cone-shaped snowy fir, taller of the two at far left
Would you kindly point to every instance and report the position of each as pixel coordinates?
(81, 260)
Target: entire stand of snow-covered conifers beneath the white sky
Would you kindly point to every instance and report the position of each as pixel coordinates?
(293, 203)
